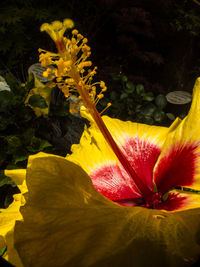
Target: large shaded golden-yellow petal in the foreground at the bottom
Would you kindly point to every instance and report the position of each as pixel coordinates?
(68, 223)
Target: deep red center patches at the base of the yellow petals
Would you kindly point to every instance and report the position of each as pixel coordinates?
(176, 169)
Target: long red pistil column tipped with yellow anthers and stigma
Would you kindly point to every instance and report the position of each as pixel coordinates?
(73, 74)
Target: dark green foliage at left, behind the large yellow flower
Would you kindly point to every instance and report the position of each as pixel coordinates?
(23, 134)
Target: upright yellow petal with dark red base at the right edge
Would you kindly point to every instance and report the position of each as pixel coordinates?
(178, 164)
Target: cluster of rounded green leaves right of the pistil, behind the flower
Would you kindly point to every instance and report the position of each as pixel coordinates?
(132, 102)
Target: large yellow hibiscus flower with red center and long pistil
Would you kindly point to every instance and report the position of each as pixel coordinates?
(116, 200)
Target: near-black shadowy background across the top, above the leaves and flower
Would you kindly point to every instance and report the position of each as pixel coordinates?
(155, 43)
